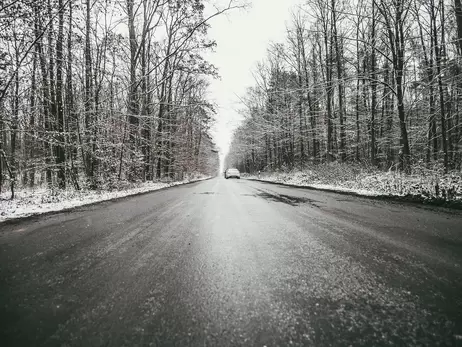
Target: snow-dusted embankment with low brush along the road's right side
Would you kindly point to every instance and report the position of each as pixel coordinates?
(423, 186)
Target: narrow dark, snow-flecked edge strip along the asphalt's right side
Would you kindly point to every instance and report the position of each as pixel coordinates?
(411, 199)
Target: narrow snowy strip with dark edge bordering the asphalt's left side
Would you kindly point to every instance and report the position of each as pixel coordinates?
(20, 217)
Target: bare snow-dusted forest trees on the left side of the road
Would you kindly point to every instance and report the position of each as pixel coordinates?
(98, 92)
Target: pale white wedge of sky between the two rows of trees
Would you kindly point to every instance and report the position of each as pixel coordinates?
(242, 37)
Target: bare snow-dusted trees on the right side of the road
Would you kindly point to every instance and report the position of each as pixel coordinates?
(376, 82)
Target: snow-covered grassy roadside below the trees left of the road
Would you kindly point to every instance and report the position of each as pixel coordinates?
(38, 201)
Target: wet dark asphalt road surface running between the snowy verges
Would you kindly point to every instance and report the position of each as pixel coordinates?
(234, 263)
